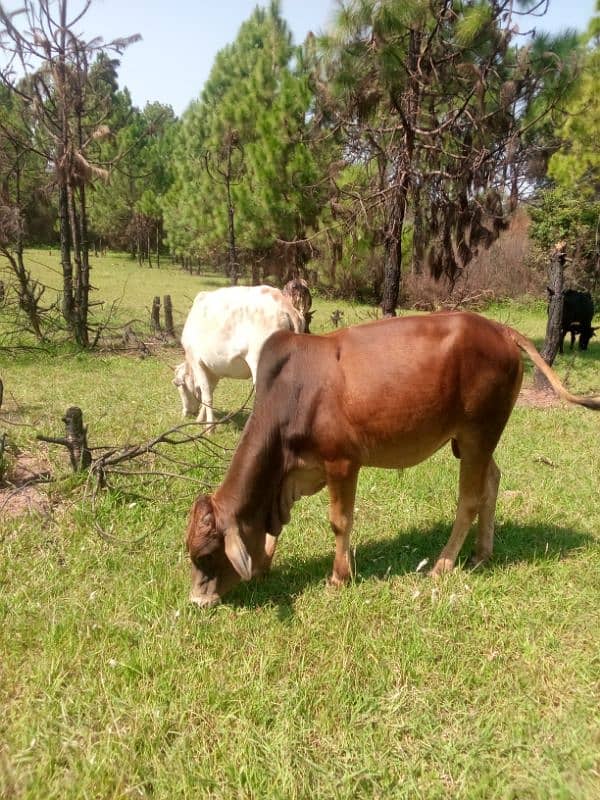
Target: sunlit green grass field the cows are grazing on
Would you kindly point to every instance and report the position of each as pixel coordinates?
(485, 684)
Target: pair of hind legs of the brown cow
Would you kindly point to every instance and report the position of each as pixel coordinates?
(472, 500)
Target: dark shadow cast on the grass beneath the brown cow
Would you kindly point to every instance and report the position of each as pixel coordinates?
(514, 544)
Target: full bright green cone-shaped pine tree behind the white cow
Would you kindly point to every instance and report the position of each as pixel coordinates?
(244, 173)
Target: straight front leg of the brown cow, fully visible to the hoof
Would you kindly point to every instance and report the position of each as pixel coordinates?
(341, 483)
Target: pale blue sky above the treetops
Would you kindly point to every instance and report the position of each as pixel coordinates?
(180, 38)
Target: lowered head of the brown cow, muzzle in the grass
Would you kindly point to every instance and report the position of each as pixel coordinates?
(220, 556)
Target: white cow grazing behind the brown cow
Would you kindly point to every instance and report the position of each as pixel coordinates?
(222, 338)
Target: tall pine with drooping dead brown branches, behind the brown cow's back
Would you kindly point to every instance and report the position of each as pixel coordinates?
(436, 100)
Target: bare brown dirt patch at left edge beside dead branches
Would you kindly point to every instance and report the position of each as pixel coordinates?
(20, 492)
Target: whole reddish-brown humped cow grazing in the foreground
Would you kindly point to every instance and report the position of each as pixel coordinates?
(384, 394)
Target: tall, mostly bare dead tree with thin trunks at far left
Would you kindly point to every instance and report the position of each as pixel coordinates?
(41, 41)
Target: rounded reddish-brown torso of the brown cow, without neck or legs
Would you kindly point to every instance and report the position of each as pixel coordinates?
(397, 386)
